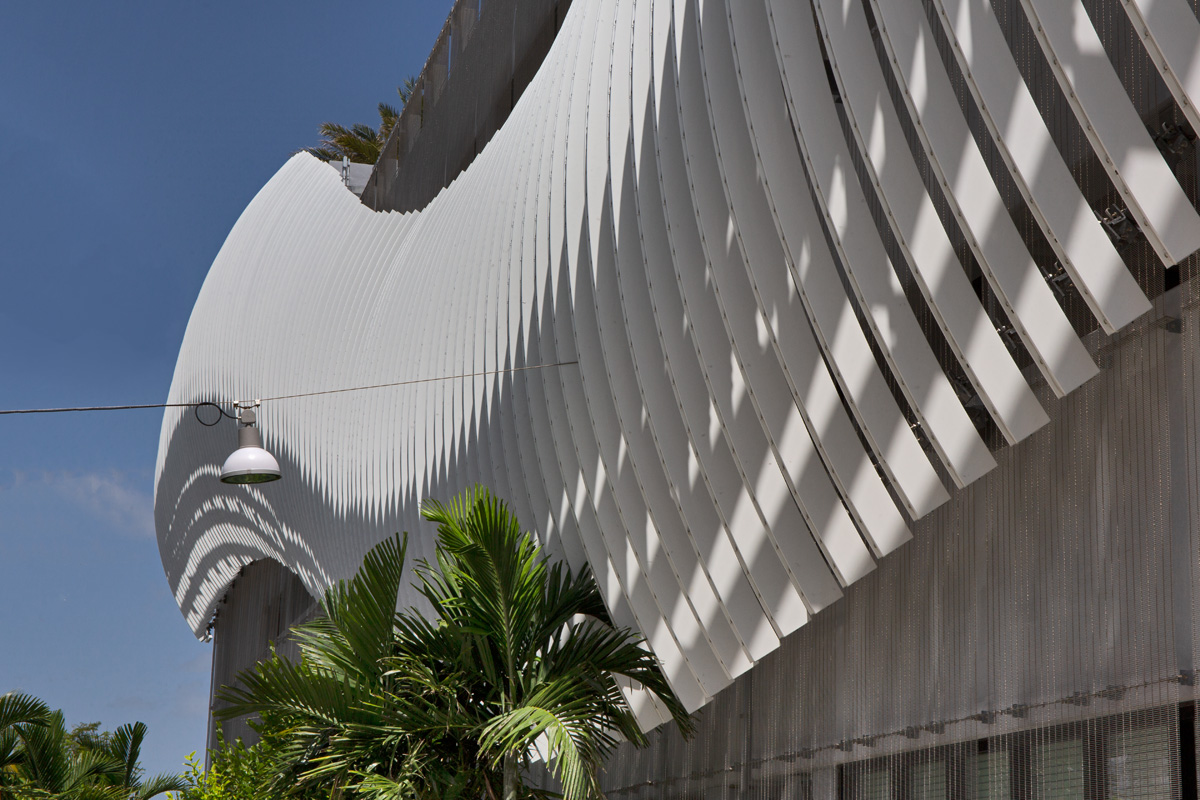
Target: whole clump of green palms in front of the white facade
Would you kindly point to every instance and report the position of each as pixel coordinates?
(519, 663)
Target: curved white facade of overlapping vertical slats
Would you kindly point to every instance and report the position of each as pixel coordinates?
(673, 215)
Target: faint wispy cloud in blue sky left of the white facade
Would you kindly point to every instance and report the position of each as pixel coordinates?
(110, 497)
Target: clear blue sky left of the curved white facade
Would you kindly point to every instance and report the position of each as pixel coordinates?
(134, 135)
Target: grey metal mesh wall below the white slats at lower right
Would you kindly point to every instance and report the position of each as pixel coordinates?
(1027, 645)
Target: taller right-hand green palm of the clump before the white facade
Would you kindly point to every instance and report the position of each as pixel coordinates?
(544, 676)
